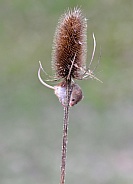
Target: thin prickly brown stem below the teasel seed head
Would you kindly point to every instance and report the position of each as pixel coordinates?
(65, 132)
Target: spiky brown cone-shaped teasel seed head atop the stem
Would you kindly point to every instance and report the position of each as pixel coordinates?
(69, 46)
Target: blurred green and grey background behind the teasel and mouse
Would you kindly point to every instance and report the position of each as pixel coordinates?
(100, 146)
